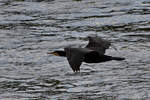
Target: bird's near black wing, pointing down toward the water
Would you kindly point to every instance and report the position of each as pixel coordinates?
(74, 57)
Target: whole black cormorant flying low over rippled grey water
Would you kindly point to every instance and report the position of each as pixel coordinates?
(94, 52)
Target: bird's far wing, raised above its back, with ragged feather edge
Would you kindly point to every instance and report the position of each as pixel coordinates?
(98, 44)
